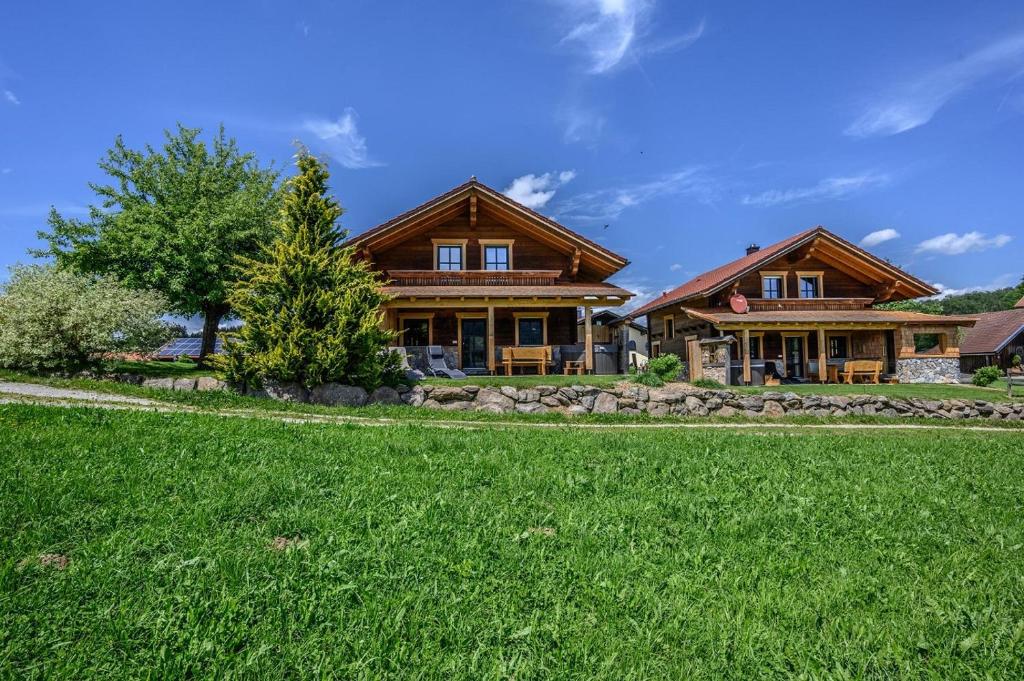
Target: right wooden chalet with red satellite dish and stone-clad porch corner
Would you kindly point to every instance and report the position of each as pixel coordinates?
(801, 310)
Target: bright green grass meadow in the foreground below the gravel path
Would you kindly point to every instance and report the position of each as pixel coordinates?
(450, 554)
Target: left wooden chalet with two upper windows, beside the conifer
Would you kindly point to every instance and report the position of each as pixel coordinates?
(475, 272)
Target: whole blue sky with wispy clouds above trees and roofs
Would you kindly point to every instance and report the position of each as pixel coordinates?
(689, 129)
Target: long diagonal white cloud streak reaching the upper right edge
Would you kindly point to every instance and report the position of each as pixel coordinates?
(914, 104)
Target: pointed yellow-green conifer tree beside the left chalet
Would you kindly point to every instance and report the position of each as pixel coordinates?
(312, 312)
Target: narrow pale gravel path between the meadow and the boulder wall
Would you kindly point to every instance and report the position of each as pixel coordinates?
(33, 394)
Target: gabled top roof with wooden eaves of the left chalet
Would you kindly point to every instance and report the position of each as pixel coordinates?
(451, 203)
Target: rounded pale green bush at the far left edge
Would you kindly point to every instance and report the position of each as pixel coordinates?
(56, 320)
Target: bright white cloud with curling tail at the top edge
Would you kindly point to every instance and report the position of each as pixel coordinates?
(610, 30)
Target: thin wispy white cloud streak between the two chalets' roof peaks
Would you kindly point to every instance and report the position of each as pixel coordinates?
(609, 204)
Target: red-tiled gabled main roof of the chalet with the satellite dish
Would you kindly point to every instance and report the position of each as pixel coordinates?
(715, 280)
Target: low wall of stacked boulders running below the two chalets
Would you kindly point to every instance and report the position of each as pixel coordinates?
(684, 400)
